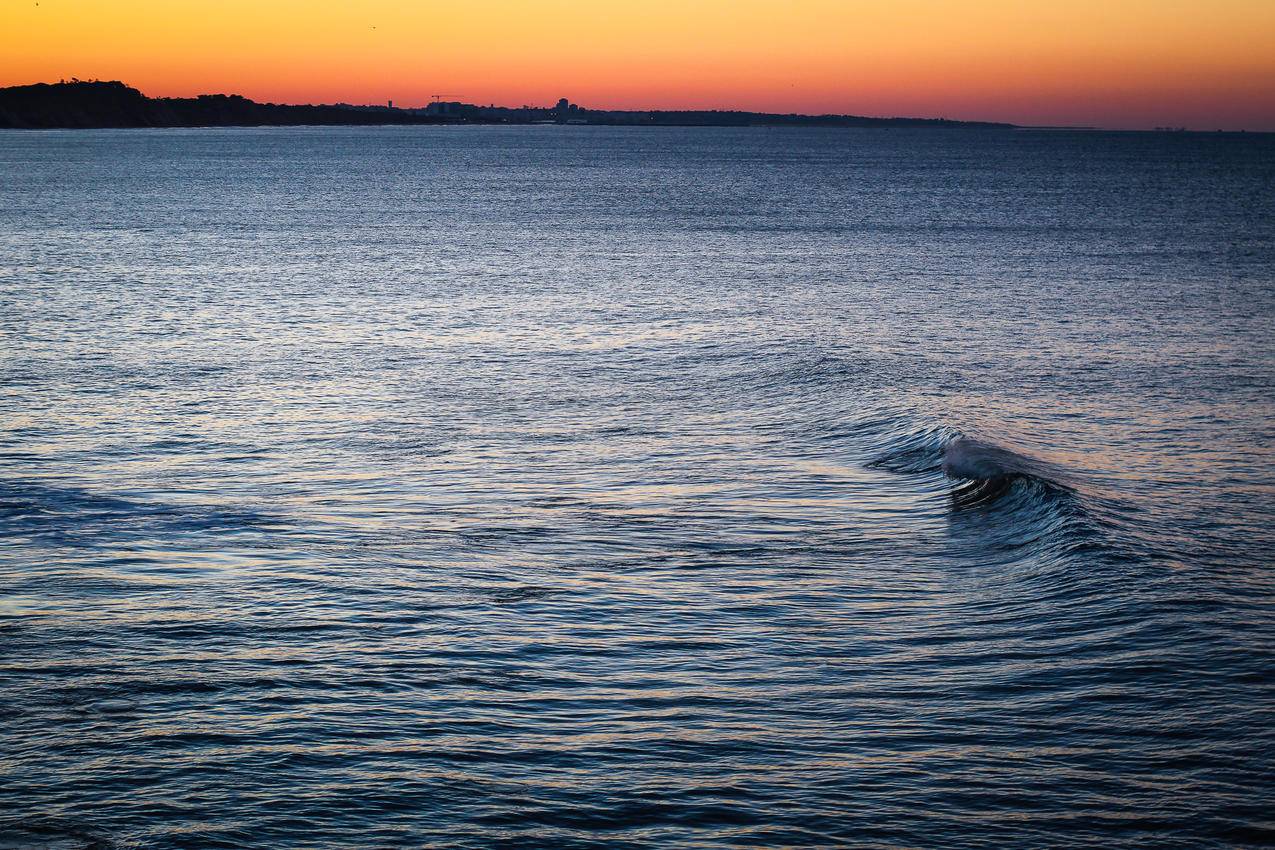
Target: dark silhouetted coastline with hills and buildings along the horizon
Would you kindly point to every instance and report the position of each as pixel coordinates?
(84, 105)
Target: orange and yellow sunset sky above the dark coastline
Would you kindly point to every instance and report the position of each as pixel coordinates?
(1105, 63)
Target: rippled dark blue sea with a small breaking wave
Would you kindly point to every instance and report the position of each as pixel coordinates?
(572, 487)
